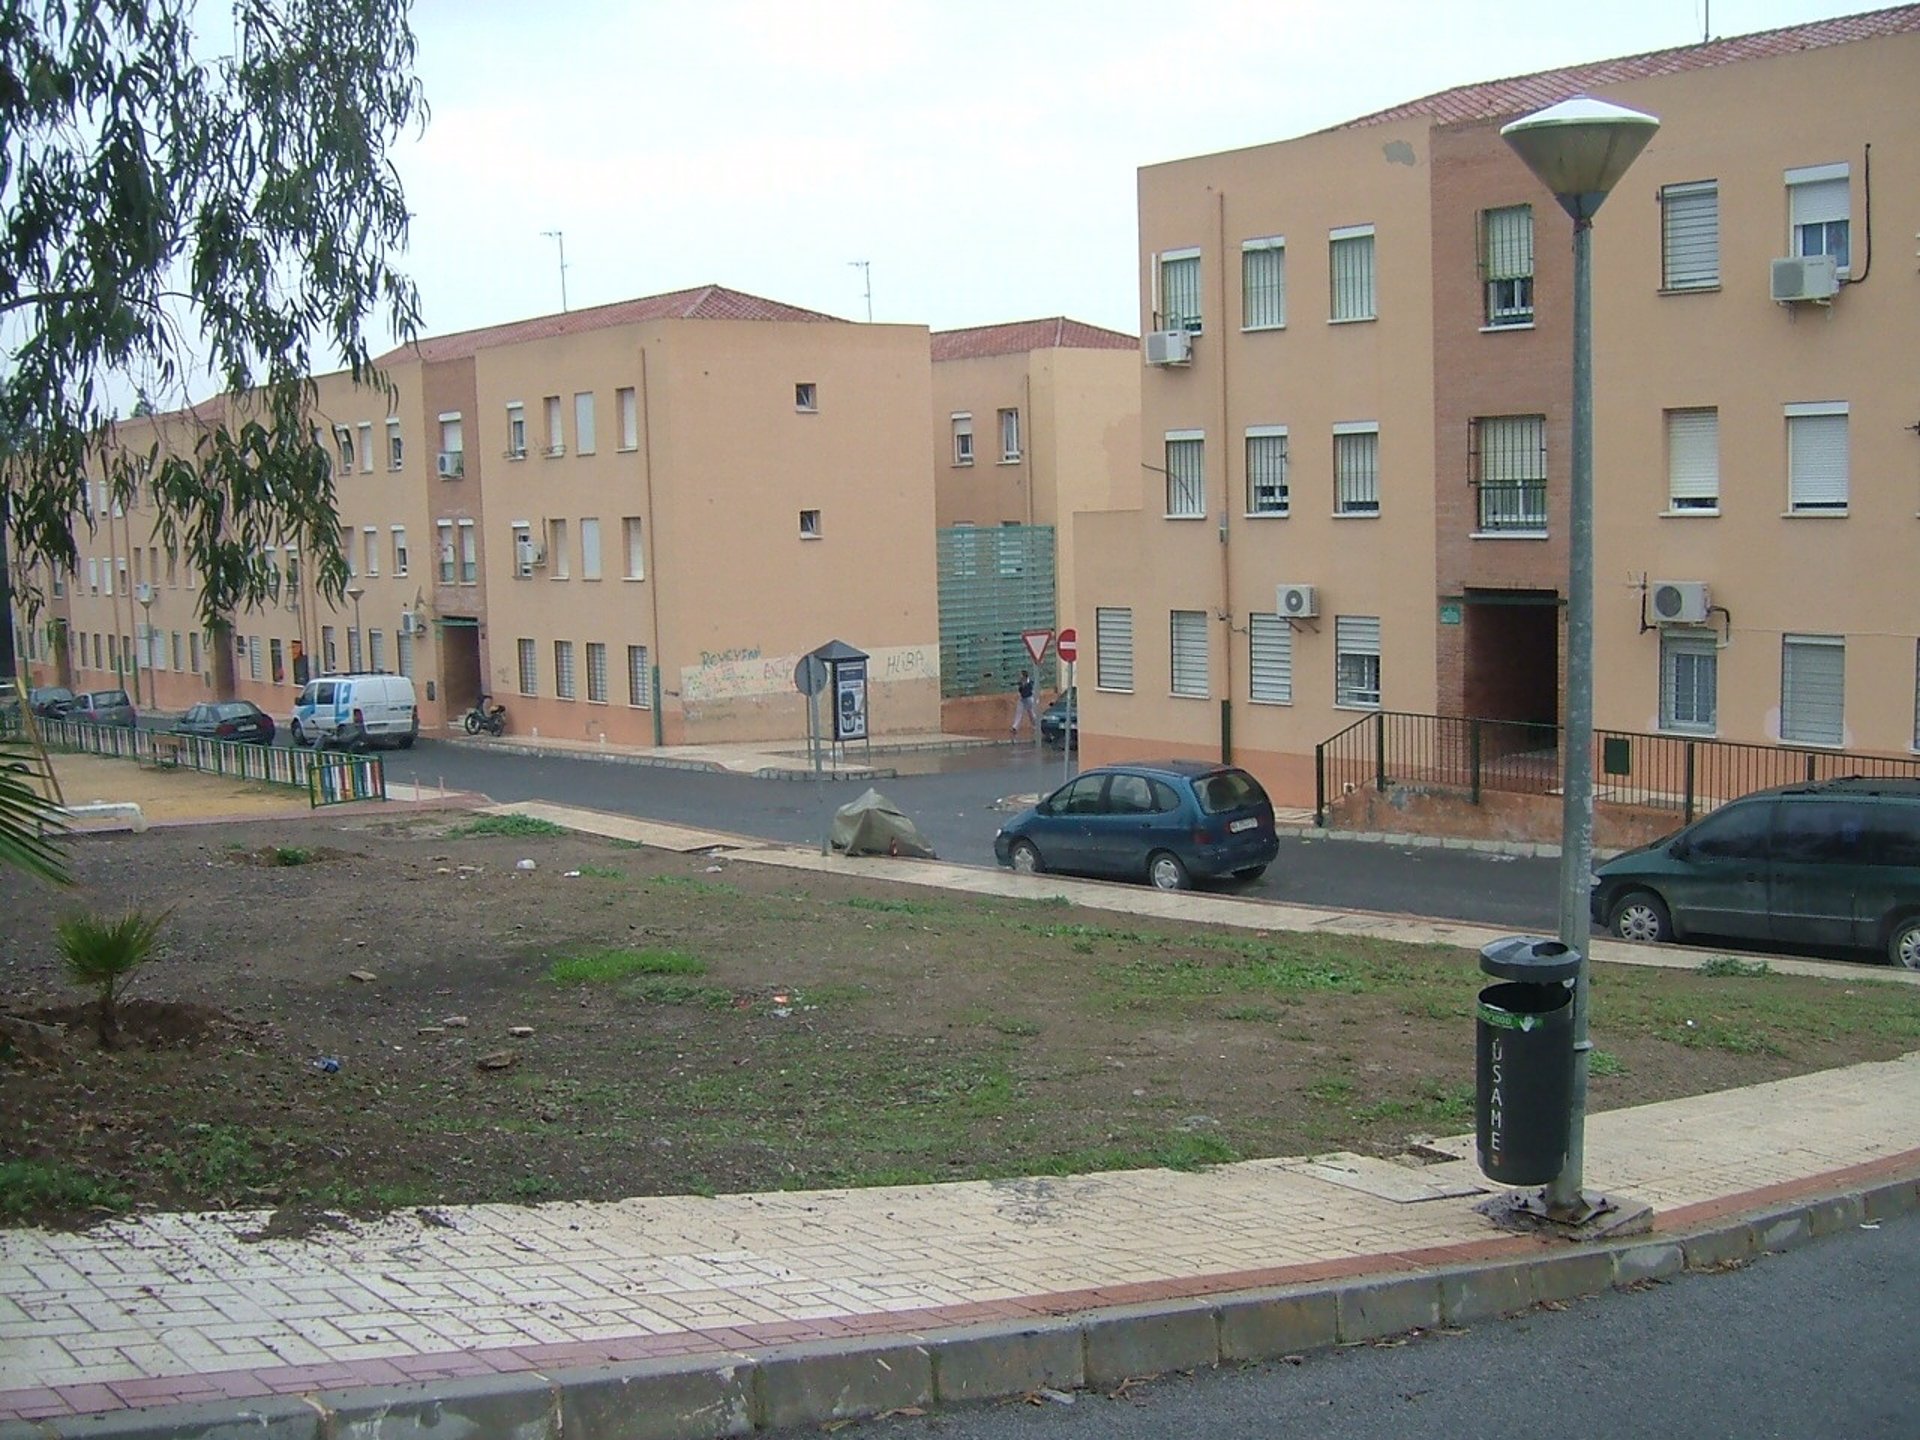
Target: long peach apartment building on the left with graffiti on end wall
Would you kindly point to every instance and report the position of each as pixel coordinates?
(627, 523)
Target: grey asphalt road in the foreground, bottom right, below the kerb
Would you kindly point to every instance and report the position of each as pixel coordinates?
(1813, 1343)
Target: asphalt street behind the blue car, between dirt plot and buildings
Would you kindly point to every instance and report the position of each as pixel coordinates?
(959, 809)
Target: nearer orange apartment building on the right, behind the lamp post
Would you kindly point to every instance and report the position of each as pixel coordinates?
(1356, 420)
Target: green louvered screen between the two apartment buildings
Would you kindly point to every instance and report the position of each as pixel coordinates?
(996, 585)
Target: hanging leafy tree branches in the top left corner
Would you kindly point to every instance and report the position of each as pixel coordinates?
(168, 216)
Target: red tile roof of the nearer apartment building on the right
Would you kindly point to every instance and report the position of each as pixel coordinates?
(1525, 93)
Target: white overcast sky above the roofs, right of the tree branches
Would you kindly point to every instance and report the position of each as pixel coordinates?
(978, 155)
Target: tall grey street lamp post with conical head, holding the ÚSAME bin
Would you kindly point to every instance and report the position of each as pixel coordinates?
(1579, 151)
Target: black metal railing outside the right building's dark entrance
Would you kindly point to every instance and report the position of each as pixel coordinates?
(1468, 757)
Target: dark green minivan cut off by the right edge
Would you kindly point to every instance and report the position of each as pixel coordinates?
(1833, 867)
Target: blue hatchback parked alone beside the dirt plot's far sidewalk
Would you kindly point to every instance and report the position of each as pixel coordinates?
(1168, 823)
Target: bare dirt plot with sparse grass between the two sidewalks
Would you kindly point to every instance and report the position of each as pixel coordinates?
(310, 1036)
